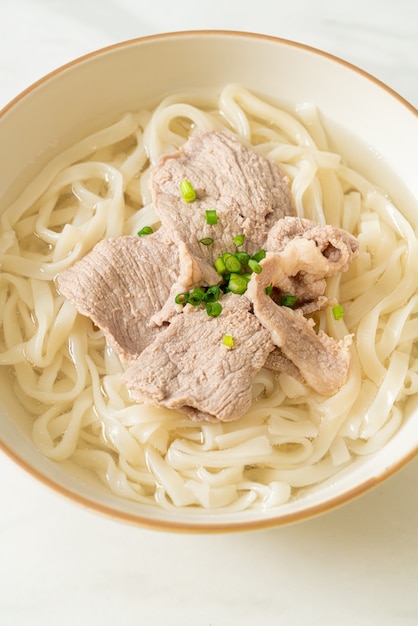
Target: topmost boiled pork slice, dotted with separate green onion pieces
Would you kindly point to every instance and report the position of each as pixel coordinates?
(248, 192)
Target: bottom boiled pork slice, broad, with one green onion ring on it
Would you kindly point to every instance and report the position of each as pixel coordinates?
(188, 368)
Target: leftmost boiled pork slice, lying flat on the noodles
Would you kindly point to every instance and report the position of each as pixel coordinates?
(120, 284)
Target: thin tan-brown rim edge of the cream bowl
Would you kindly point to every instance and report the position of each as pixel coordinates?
(139, 519)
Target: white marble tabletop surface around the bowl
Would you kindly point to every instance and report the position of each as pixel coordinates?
(62, 565)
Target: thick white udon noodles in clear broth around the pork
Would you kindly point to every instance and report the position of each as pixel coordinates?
(69, 380)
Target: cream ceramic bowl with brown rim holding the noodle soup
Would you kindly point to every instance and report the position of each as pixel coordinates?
(80, 97)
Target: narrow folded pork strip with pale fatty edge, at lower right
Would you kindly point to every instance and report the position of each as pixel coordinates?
(322, 361)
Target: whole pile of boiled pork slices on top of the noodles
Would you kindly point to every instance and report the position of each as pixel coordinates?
(175, 355)
